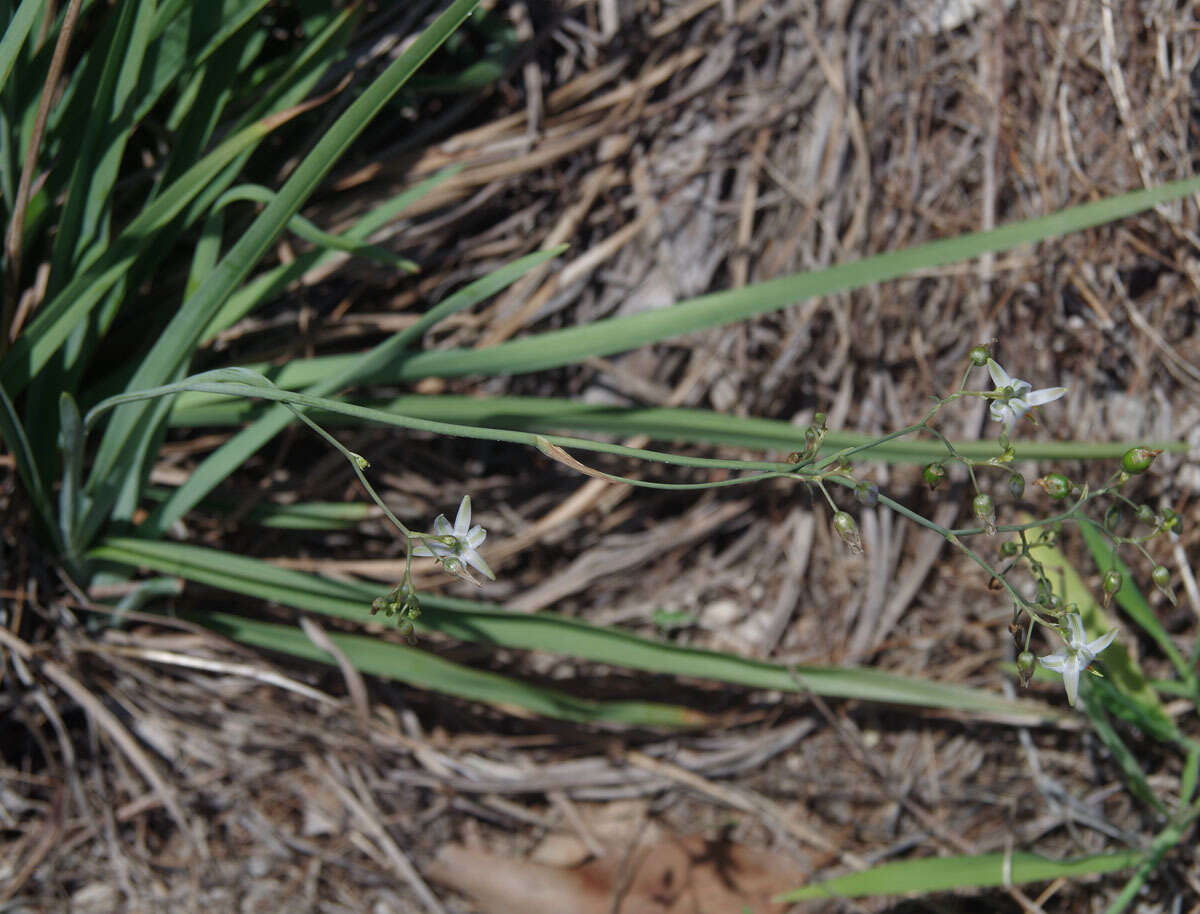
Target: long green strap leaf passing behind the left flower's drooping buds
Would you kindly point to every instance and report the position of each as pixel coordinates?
(491, 624)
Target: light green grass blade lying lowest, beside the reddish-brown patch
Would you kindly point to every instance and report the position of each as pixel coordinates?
(941, 874)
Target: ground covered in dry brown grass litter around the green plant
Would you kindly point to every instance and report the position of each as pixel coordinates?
(682, 148)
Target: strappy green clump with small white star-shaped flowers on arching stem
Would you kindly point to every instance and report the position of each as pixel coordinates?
(91, 351)
